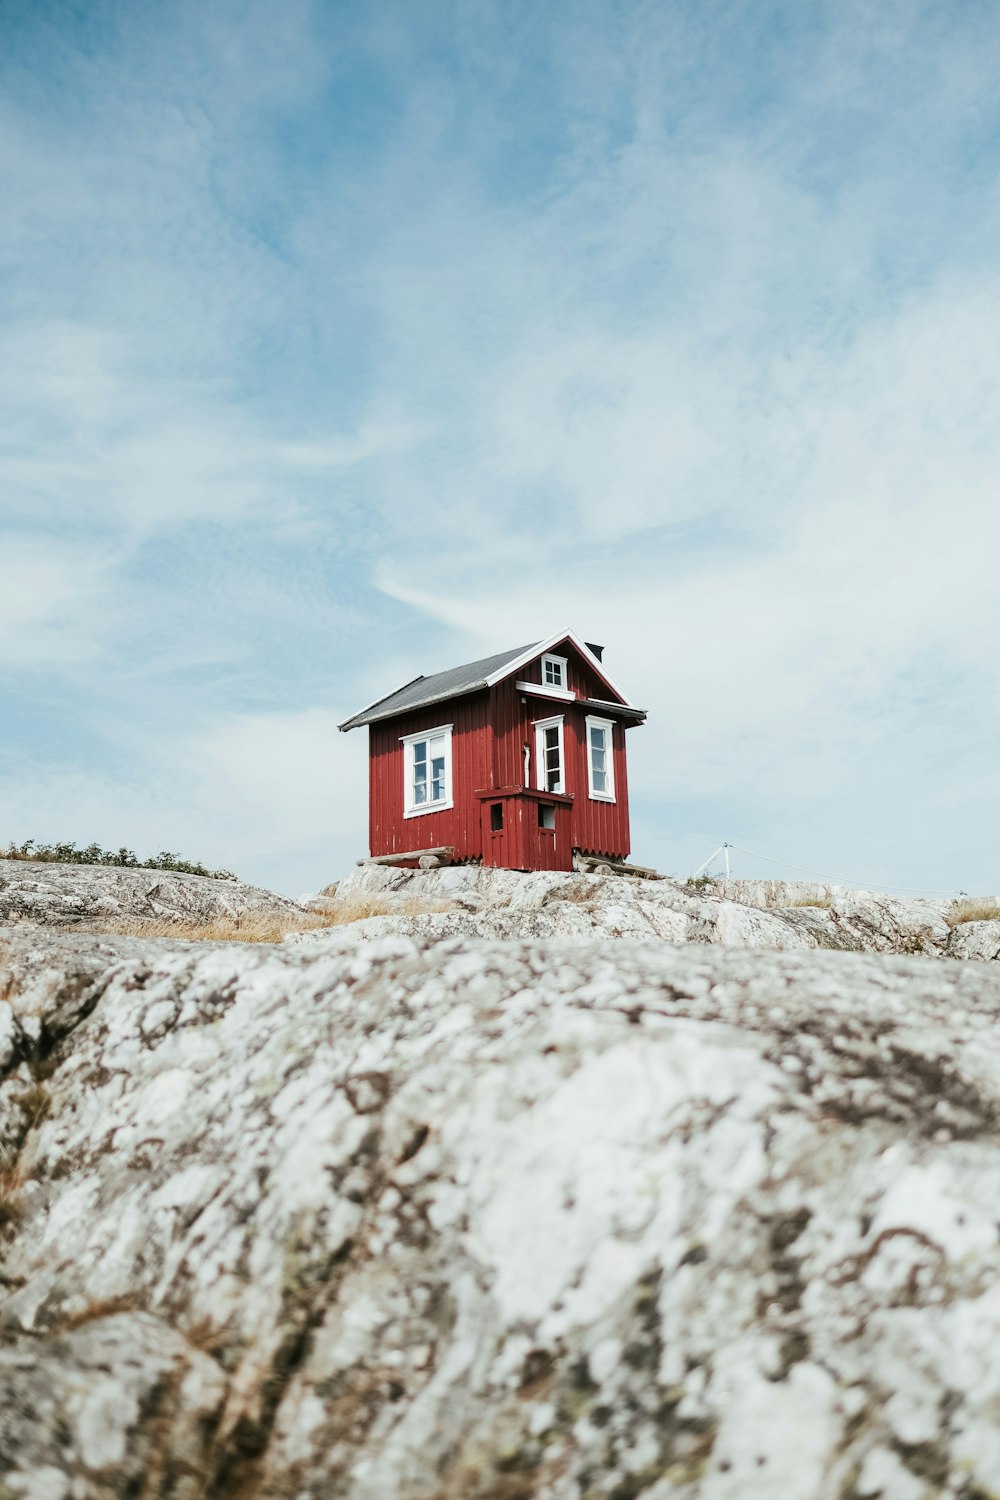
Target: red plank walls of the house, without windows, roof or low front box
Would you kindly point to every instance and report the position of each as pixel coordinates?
(491, 731)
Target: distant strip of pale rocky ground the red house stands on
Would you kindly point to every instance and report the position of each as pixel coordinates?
(475, 902)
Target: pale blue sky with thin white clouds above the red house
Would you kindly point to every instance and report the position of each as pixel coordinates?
(341, 343)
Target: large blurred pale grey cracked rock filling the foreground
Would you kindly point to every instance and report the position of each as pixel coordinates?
(478, 1219)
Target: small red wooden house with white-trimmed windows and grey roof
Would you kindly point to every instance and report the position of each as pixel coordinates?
(518, 761)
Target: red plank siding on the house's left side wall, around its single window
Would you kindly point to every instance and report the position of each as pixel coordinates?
(389, 830)
